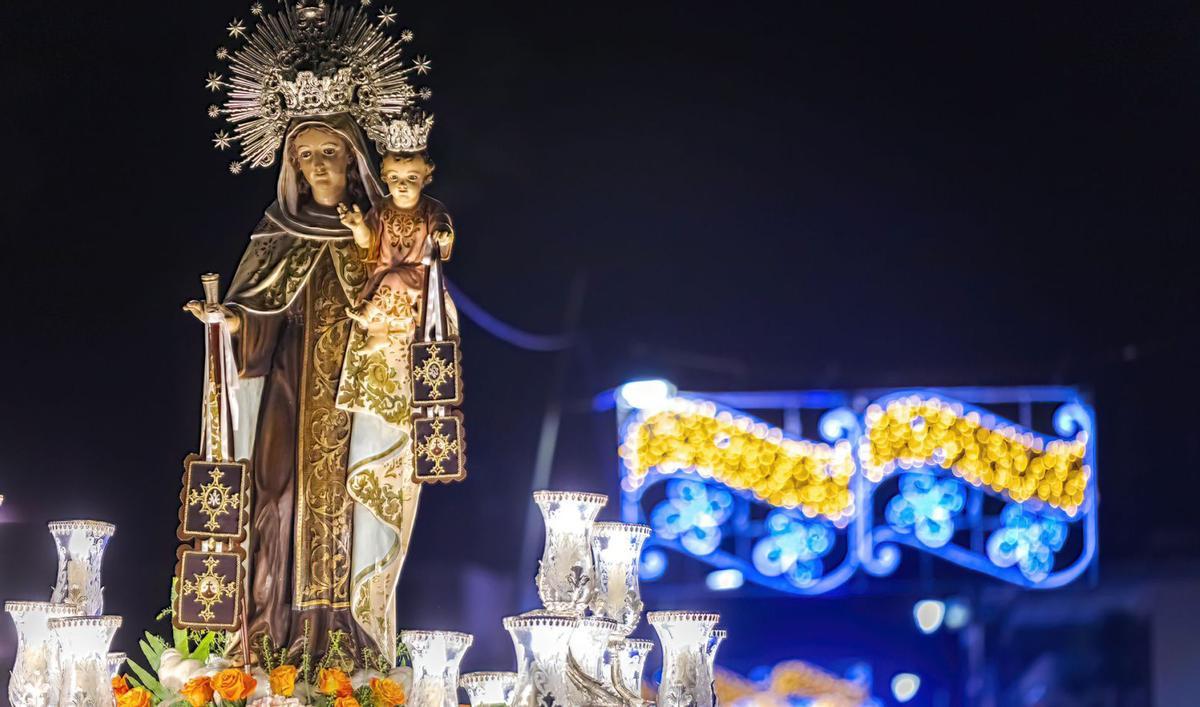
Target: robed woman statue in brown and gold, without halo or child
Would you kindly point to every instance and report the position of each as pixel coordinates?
(325, 426)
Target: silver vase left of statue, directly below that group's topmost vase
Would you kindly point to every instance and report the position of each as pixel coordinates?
(81, 675)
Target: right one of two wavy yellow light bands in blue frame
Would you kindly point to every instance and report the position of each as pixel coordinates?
(920, 432)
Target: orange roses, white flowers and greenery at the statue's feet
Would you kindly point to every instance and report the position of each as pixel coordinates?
(194, 672)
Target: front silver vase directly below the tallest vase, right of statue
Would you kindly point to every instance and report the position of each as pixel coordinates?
(542, 643)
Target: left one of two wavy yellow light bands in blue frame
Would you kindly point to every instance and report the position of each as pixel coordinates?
(742, 454)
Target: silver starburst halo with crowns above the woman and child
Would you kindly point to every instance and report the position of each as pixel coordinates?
(317, 58)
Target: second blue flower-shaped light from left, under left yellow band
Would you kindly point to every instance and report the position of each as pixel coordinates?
(794, 548)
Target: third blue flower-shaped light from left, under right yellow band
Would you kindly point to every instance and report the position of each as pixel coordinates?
(927, 507)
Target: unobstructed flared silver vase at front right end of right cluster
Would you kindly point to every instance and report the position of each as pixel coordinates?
(687, 678)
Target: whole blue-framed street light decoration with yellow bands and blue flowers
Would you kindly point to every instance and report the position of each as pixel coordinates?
(937, 471)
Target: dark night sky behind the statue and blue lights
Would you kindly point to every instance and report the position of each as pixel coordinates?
(758, 196)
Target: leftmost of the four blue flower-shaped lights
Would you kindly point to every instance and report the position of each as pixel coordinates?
(693, 513)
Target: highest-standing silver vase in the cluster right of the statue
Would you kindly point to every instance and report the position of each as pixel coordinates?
(566, 574)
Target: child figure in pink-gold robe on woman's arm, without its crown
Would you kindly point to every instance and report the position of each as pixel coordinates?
(400, 235)
